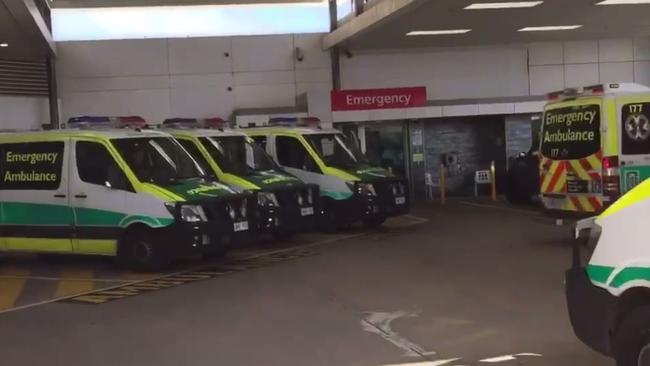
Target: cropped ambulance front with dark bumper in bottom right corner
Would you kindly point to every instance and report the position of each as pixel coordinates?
(608, 286)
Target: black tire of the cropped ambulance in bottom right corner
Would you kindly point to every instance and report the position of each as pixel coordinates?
(632, 336)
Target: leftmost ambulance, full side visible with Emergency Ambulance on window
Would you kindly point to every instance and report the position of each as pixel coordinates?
(130, 193)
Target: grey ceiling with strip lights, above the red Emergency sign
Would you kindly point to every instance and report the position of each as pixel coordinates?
(386, 24)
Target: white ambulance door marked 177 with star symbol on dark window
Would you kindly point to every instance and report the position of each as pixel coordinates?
(634, 124)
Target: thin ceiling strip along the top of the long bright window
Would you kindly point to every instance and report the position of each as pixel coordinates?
(121, 3)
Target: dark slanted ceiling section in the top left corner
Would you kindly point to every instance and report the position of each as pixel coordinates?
(21, 26)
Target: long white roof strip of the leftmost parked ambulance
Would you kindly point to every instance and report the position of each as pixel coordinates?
(18, 136)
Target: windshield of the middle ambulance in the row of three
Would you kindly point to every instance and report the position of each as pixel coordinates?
(238, 155)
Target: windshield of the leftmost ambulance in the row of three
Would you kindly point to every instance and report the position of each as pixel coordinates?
(159, 160)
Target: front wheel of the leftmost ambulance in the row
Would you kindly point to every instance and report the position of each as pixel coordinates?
(138, 251)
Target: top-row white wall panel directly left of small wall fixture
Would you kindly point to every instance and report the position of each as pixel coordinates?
(261, 53)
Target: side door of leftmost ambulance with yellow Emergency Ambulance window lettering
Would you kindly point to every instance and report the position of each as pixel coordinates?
(36, 213)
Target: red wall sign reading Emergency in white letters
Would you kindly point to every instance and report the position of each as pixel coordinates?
(364, 99)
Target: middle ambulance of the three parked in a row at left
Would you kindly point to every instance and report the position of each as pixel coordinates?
(286, 205)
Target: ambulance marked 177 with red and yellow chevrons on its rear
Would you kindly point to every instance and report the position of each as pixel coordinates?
(595, 146)
